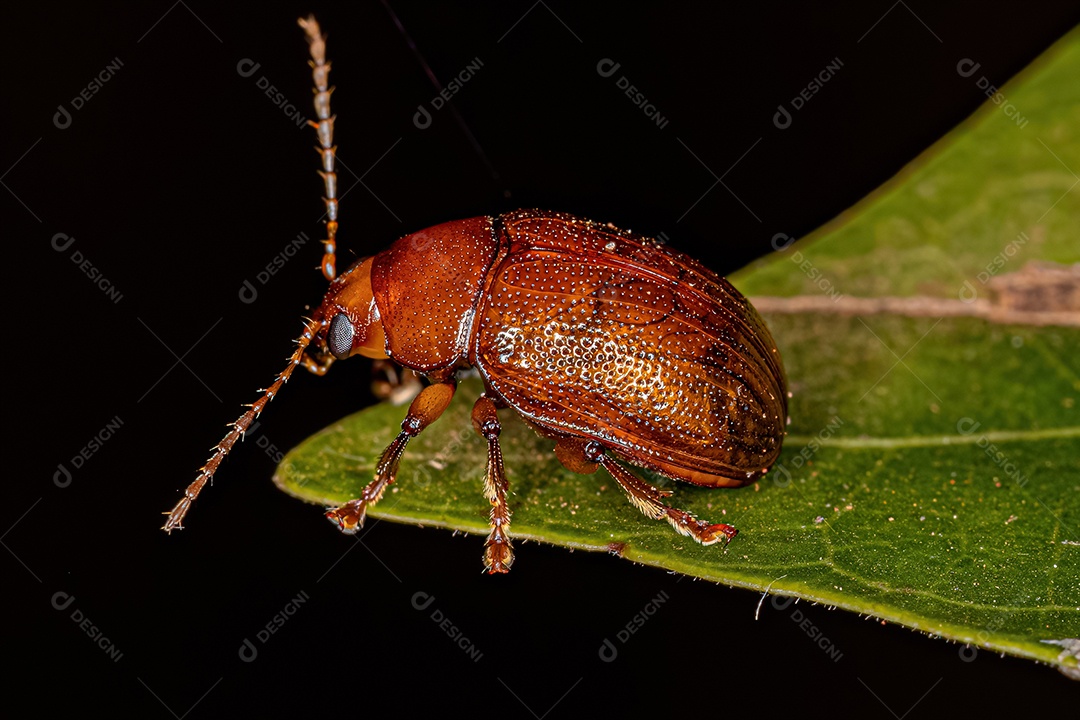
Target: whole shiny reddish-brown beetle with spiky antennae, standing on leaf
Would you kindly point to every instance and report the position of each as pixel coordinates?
(613, 345)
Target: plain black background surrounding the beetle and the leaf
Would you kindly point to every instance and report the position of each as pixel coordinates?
(180, 180)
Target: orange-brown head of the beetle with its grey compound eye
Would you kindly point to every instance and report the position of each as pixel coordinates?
(352, 321)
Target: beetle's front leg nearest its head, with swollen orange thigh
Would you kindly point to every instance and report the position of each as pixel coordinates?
(425, 411)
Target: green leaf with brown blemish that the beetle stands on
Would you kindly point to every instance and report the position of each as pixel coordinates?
(931, 477)
